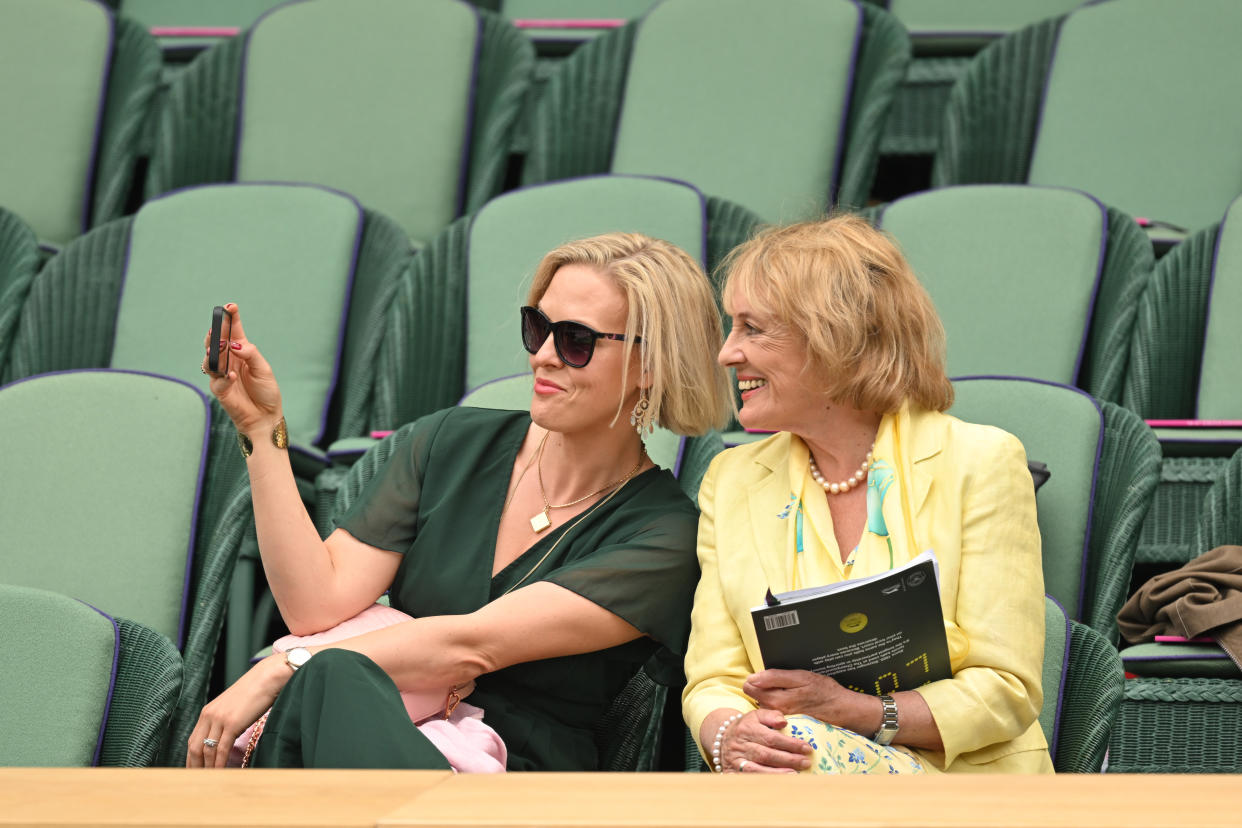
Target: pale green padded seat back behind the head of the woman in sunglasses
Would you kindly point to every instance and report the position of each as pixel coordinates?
(512, 234)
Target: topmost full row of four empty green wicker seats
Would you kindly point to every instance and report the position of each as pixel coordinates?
(415, 111)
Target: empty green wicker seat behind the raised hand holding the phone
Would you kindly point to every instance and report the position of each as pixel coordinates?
(311, 270)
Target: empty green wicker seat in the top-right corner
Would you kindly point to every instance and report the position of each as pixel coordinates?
(1125, 100)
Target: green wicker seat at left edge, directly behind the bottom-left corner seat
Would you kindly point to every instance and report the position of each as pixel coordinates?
(158, 501)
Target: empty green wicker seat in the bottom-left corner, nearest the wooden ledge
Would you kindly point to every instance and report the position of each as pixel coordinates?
(81, 687)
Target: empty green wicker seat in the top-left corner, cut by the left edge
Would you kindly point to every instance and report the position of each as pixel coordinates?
(75, 89)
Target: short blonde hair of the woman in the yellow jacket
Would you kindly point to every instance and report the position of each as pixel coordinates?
(874, 338)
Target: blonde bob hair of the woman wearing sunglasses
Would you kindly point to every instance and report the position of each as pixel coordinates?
(673, 308)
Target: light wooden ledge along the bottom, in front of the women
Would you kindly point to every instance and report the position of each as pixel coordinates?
(177, 798)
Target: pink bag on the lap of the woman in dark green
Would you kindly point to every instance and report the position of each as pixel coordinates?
(456, 729)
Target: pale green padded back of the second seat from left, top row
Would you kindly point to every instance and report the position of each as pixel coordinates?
(369, 99)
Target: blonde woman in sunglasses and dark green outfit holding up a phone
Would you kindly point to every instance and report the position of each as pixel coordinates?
(542, 556)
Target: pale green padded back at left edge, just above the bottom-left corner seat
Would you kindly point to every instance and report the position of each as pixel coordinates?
(106, 502)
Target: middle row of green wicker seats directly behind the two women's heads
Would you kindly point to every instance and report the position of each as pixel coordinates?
(1040, 282)
